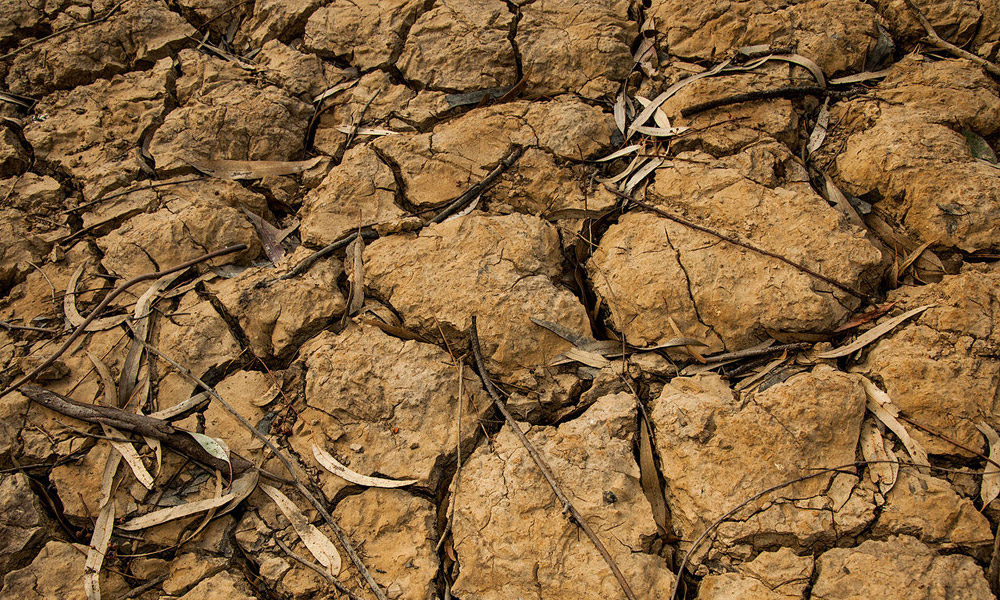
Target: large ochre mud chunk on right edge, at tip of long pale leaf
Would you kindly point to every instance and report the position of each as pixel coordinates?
(941, 368)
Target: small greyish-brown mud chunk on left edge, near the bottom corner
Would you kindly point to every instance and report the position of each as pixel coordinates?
(23, 524)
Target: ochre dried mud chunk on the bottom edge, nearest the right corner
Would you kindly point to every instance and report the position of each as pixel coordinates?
(900, 568)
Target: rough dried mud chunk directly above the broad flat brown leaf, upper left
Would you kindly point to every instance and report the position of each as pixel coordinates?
(224, 116)
